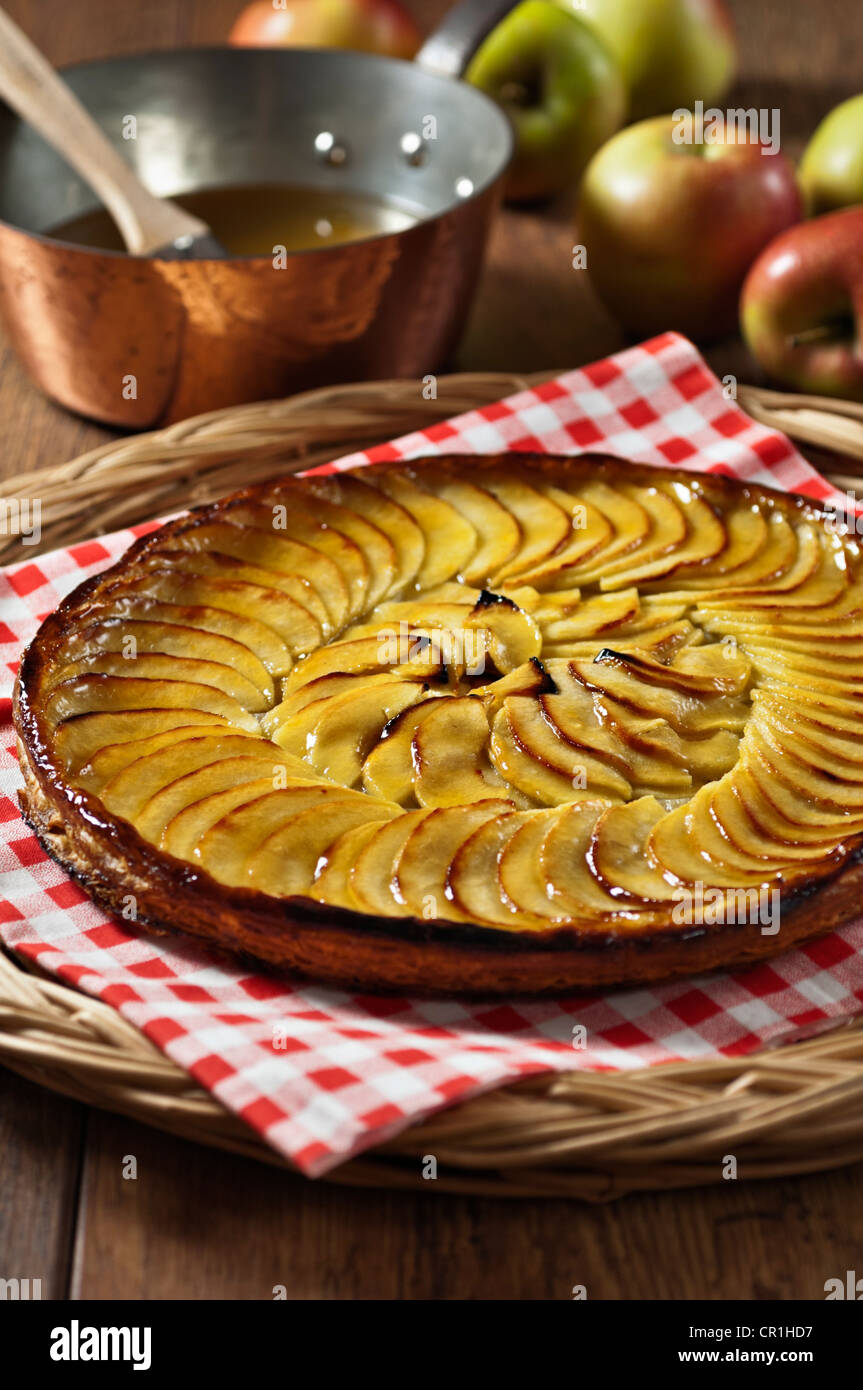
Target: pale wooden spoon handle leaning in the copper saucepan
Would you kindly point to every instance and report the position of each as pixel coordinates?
(41, 98)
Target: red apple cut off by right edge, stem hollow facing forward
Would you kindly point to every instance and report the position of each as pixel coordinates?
(803, 306)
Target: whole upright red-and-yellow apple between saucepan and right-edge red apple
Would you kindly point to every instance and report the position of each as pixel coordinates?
(672, 224)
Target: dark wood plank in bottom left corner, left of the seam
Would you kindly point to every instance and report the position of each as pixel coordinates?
(41, 1142)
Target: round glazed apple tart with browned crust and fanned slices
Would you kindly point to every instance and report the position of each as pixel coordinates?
(491, 725)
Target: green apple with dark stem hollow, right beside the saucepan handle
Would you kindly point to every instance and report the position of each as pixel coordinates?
(561, 90)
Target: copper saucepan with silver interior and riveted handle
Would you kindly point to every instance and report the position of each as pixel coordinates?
(138, 343)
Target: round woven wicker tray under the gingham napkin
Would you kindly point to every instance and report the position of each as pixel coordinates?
(593, 1136)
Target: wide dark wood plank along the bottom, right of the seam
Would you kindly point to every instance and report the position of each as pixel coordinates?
(201, 1225)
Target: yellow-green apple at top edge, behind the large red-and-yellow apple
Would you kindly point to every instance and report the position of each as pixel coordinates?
(671, 52)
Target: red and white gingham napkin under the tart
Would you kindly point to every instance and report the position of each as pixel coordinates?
(322, 1074)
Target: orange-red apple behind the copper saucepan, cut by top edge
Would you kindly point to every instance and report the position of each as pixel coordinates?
(366, 26)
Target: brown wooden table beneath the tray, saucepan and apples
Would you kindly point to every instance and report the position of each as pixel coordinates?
(201, 1225)
